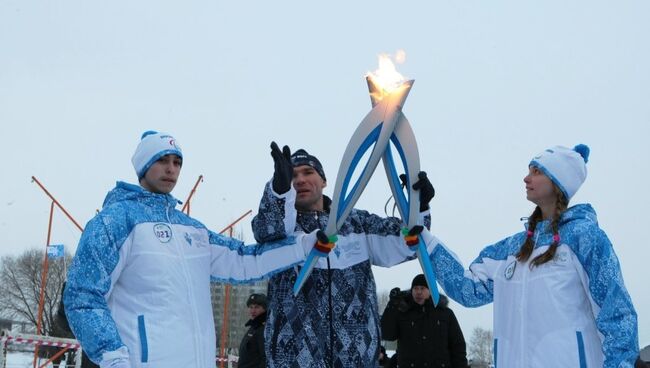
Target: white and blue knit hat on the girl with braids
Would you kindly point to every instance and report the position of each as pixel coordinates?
(564, 166)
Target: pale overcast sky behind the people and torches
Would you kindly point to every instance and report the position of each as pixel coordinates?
(495, 83)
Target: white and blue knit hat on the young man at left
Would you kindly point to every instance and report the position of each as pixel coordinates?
(153, 145)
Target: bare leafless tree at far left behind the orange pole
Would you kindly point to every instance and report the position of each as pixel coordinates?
(20, 287)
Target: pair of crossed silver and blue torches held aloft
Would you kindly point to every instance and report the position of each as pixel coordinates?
(383, 125)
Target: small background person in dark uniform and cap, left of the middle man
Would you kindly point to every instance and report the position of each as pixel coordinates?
(251, 349)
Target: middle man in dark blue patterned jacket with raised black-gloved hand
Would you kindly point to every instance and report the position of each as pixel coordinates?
(333, 321)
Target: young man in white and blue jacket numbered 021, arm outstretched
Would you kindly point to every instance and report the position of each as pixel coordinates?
(138, 290)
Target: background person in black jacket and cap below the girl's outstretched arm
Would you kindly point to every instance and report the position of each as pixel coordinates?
(427, 336)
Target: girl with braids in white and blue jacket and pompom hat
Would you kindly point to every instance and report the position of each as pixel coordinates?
(558, 293)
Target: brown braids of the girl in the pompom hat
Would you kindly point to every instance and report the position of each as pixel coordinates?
(561, 204)
